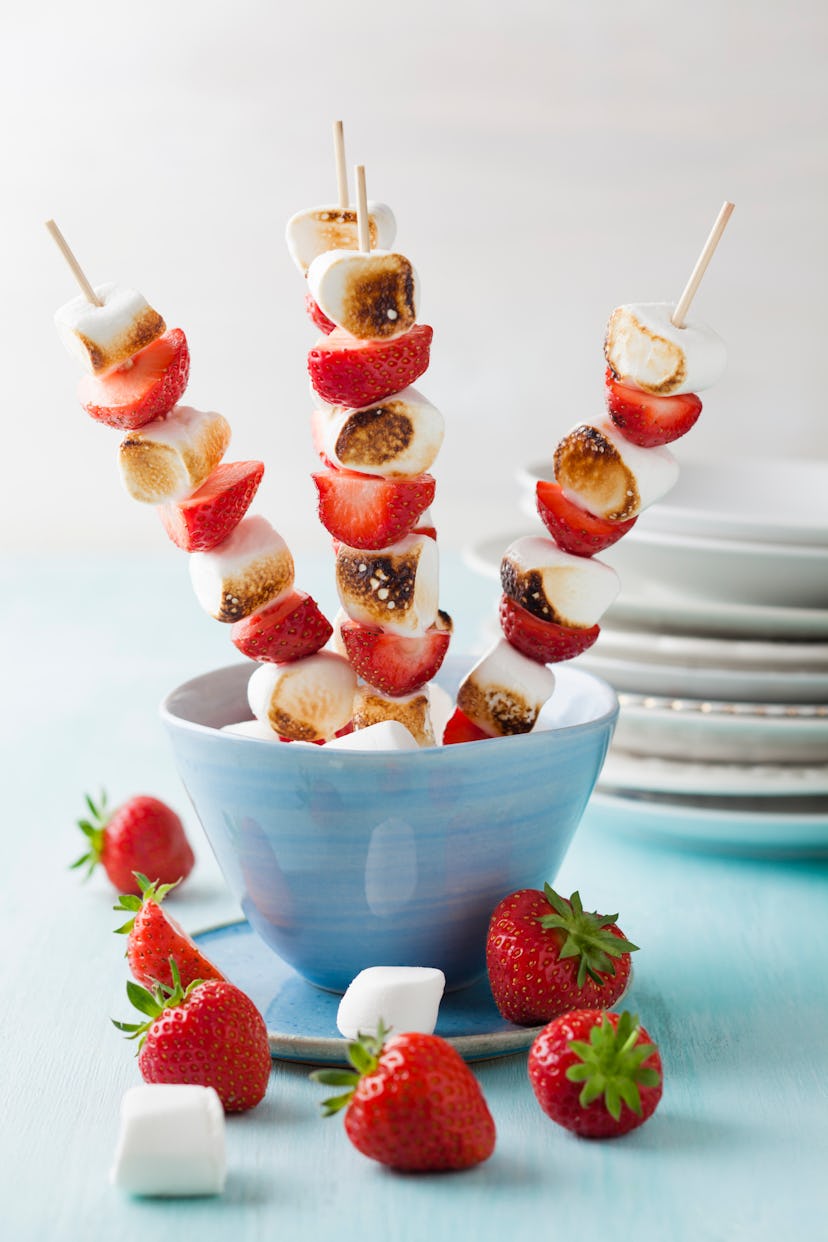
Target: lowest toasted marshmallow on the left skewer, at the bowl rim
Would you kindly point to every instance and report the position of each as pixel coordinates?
(306, 699)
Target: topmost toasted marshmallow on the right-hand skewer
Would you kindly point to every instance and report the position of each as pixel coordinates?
(645, 348)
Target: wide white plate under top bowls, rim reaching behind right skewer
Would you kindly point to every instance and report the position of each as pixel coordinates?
(659, 609)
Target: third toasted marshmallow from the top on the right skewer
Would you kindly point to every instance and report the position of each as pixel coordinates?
(554, 586)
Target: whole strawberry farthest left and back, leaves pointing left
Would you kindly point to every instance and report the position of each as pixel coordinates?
(143, 835)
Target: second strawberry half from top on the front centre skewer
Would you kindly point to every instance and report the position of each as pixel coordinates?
(367, 511)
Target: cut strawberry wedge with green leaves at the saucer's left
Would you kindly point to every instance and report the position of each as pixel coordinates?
(156, 938)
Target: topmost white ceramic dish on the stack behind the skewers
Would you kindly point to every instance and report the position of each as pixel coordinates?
(767, 501)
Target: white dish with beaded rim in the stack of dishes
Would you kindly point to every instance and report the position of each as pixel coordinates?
(744, 733)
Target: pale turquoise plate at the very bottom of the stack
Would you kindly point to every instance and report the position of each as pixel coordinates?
(778, 830)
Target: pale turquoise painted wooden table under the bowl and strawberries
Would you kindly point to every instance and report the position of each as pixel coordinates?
(732, 982)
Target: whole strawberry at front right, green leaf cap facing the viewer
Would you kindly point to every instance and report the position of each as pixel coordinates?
(596, 1074)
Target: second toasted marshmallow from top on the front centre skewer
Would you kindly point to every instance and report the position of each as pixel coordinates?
(397, 438)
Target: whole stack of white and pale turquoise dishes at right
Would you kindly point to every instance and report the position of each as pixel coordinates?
(718, 648)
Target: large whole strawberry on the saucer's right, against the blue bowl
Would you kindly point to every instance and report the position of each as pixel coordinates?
(547, 956)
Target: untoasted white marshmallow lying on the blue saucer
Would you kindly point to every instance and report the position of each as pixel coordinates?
(405, 999)
